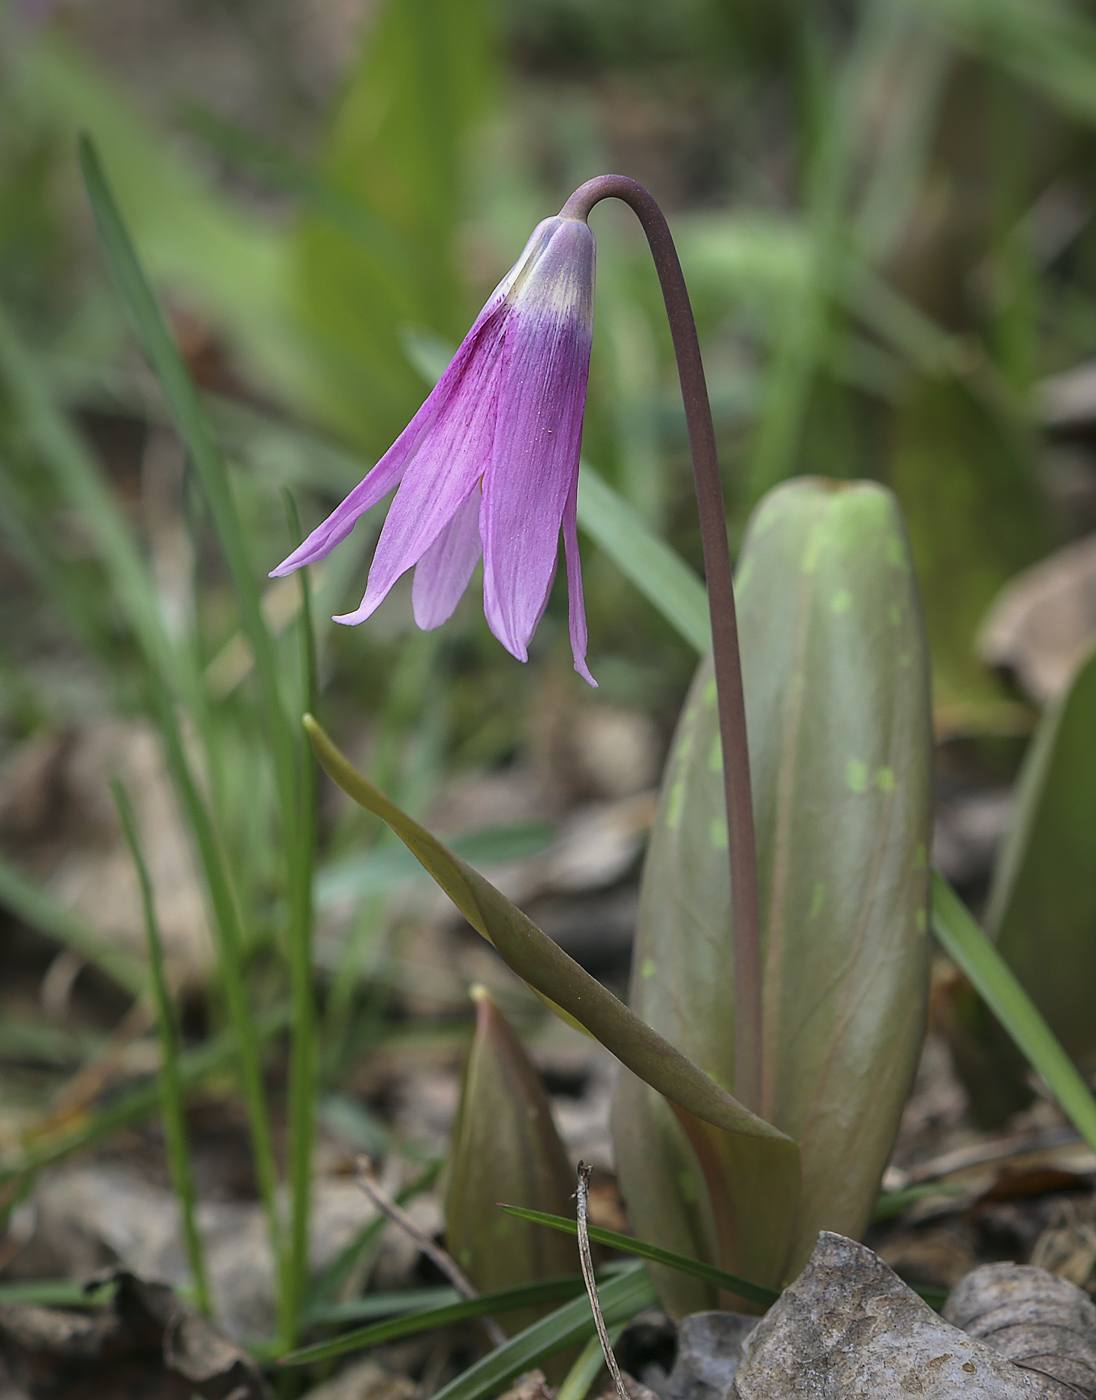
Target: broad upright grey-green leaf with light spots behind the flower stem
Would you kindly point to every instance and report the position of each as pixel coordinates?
(836, 687)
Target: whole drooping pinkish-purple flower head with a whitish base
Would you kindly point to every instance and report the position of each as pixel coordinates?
(489, 465)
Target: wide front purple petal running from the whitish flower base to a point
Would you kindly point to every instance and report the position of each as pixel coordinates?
(538, 435)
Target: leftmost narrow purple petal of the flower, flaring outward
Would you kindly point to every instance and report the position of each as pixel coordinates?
(393, 465)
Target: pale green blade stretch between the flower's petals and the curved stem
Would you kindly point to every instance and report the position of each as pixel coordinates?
(647, 562)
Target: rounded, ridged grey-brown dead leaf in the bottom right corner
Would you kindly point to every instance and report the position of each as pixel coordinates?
(1038, 1321)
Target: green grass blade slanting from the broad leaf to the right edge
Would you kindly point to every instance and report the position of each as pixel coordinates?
(978, 958)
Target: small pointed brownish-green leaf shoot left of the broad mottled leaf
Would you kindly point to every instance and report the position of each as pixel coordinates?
(505, 1144)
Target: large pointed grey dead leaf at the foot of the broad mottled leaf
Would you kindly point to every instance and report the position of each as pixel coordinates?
(850, 1329)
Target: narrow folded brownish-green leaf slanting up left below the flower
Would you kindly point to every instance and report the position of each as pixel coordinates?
(541, 962)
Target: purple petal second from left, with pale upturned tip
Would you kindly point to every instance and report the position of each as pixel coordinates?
(443, 474)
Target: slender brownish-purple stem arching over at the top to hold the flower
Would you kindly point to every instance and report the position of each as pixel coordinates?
(724, 626)
